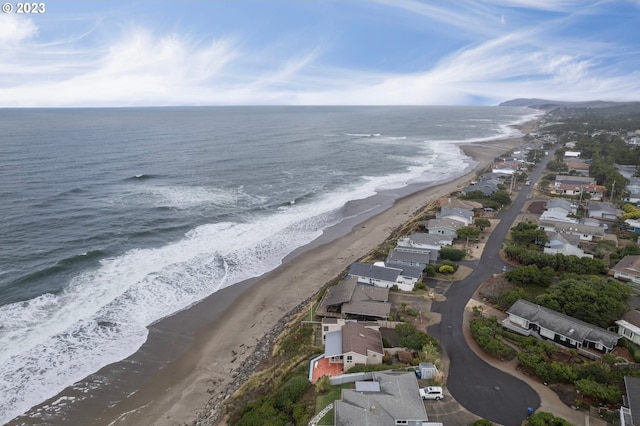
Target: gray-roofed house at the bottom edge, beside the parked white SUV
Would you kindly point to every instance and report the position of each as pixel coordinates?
(393, 398)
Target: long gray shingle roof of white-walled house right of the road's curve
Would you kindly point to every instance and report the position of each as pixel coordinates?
(562, 324)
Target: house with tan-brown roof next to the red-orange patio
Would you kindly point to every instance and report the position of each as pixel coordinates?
(354, 344)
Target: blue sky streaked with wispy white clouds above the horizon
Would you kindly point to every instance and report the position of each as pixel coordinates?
(295, 52)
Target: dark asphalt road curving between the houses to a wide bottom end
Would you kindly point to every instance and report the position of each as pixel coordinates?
(476, 385)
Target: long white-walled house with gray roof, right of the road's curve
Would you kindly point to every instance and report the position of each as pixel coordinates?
(530, 319)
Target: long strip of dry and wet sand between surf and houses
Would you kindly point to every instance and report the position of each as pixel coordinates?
(234, 328)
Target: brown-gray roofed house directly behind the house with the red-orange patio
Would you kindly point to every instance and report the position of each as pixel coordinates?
(349, 299)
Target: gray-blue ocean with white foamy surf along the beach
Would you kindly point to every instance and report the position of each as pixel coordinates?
(112, 219)
